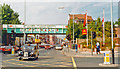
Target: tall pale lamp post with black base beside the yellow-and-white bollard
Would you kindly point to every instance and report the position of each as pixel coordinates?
(112, 34)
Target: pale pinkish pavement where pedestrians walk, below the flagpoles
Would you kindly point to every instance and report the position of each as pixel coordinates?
(73, 53)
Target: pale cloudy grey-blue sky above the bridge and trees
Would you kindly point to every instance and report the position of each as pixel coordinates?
(47, 12)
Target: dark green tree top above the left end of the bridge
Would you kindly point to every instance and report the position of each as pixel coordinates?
(8, 16)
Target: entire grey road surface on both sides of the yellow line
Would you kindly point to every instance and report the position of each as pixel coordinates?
(52, 58)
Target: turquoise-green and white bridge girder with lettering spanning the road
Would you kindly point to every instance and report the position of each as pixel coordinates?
(41, 29)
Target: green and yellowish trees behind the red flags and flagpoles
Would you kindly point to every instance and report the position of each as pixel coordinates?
(94, 26)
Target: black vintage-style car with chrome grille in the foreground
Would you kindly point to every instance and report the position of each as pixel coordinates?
(28, 52)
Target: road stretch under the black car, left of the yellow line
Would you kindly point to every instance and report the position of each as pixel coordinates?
(47, 58)
